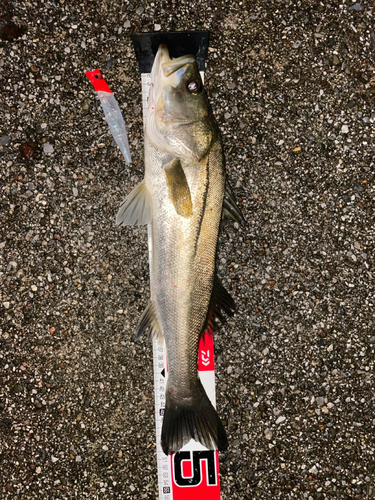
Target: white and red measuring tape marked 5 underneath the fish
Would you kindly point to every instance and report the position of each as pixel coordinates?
(193, 472)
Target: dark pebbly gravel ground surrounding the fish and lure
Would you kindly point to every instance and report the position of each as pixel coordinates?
(292, 86)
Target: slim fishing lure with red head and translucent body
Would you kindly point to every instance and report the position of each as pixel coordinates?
(112, 112)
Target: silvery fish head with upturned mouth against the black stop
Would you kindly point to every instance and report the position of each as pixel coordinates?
(179, 118)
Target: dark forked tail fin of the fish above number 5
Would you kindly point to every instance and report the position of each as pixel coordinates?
(191, 418)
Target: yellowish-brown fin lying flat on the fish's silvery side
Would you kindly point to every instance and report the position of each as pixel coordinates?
(178, 187)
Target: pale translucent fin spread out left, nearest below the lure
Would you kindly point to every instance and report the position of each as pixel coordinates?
(137, 207)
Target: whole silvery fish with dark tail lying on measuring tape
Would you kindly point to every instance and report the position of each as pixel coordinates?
(183, 198)
